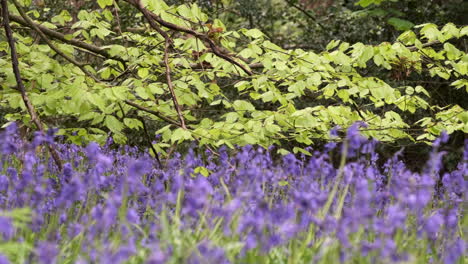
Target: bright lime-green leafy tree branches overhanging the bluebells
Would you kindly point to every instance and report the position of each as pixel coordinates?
(231, 86)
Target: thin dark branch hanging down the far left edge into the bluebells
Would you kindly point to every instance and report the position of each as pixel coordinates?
(27, 102)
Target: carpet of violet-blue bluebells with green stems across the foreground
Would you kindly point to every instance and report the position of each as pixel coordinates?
(119, 206)
